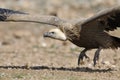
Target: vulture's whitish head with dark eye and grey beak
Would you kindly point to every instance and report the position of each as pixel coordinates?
(55, 34)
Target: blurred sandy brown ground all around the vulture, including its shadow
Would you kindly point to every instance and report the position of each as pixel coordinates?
(26, 55)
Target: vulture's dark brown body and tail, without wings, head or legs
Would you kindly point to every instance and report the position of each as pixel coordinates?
(92, 38)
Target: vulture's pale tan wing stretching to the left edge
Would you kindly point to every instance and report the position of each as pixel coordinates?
(7, 15)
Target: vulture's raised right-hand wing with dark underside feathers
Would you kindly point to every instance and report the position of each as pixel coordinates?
(109, 19)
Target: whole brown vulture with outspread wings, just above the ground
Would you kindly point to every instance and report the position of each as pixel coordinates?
(89, 33)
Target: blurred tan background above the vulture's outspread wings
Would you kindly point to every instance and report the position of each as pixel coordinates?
(62, 8)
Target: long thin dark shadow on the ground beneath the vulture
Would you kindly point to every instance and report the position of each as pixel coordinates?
(77, 69)
